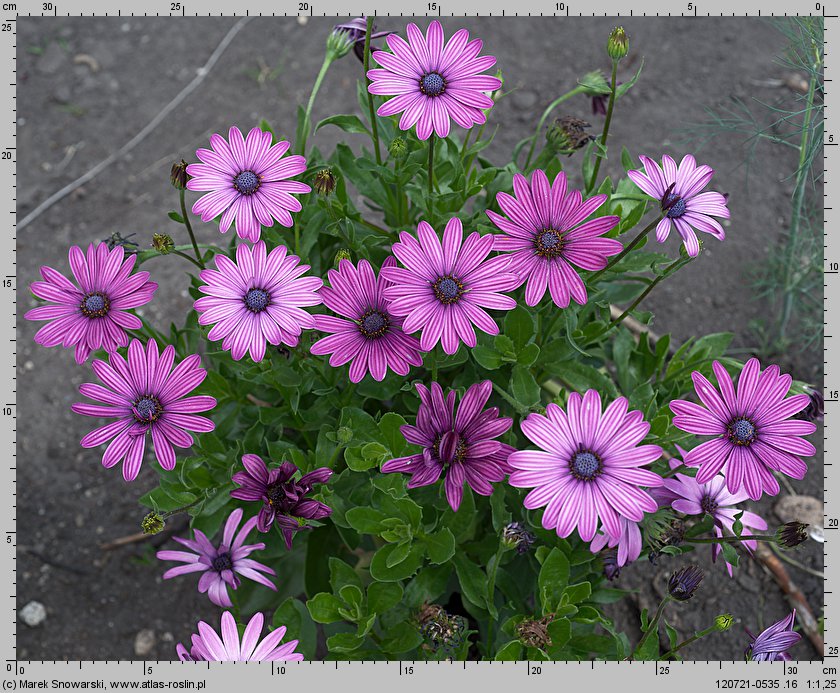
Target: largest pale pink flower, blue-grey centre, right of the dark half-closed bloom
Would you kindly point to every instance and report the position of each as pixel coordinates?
(589, 467)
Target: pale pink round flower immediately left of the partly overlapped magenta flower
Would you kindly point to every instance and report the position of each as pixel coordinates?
(257, 299)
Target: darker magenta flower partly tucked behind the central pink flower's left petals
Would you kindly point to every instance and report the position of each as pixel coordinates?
(372, 338)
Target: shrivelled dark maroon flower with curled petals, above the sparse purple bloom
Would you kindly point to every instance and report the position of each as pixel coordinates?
(284, 498)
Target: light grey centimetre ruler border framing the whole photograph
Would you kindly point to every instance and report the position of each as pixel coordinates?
(408, 676)
